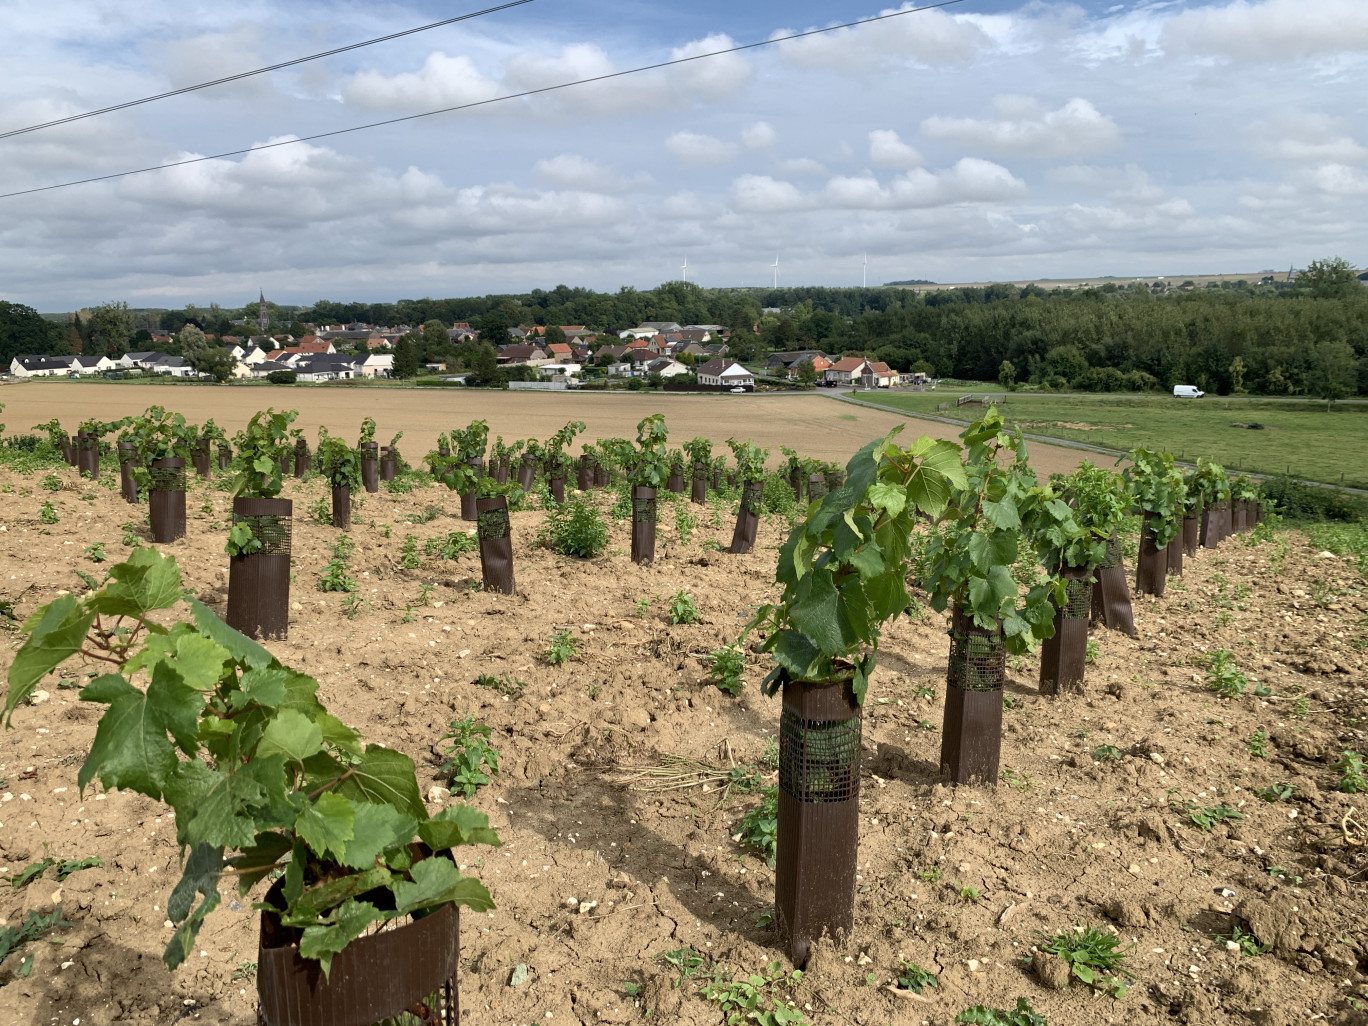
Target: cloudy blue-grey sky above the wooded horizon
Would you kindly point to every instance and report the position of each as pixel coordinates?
(977, 142)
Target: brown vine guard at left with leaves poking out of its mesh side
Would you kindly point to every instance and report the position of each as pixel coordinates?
(259, 583)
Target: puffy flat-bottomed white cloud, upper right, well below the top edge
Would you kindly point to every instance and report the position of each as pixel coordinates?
(1028, 131)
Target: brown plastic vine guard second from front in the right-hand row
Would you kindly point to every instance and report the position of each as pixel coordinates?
(972, 734)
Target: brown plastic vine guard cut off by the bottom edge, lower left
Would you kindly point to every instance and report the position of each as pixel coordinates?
(408, 968)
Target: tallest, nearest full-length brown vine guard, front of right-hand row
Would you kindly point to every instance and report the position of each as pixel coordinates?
(819, 815)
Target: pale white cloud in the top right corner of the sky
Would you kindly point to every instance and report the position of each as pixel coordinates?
(1270, 32)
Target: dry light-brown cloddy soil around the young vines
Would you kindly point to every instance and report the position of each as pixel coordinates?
(1062, 842)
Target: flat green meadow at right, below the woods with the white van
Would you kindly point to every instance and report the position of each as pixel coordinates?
(1300, 438)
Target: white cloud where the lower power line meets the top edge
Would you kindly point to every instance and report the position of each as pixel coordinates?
(931, 39)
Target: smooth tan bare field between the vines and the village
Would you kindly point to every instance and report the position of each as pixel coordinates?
(812, 425)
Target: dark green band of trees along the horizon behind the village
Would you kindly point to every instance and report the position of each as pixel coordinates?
(1285, 339)
